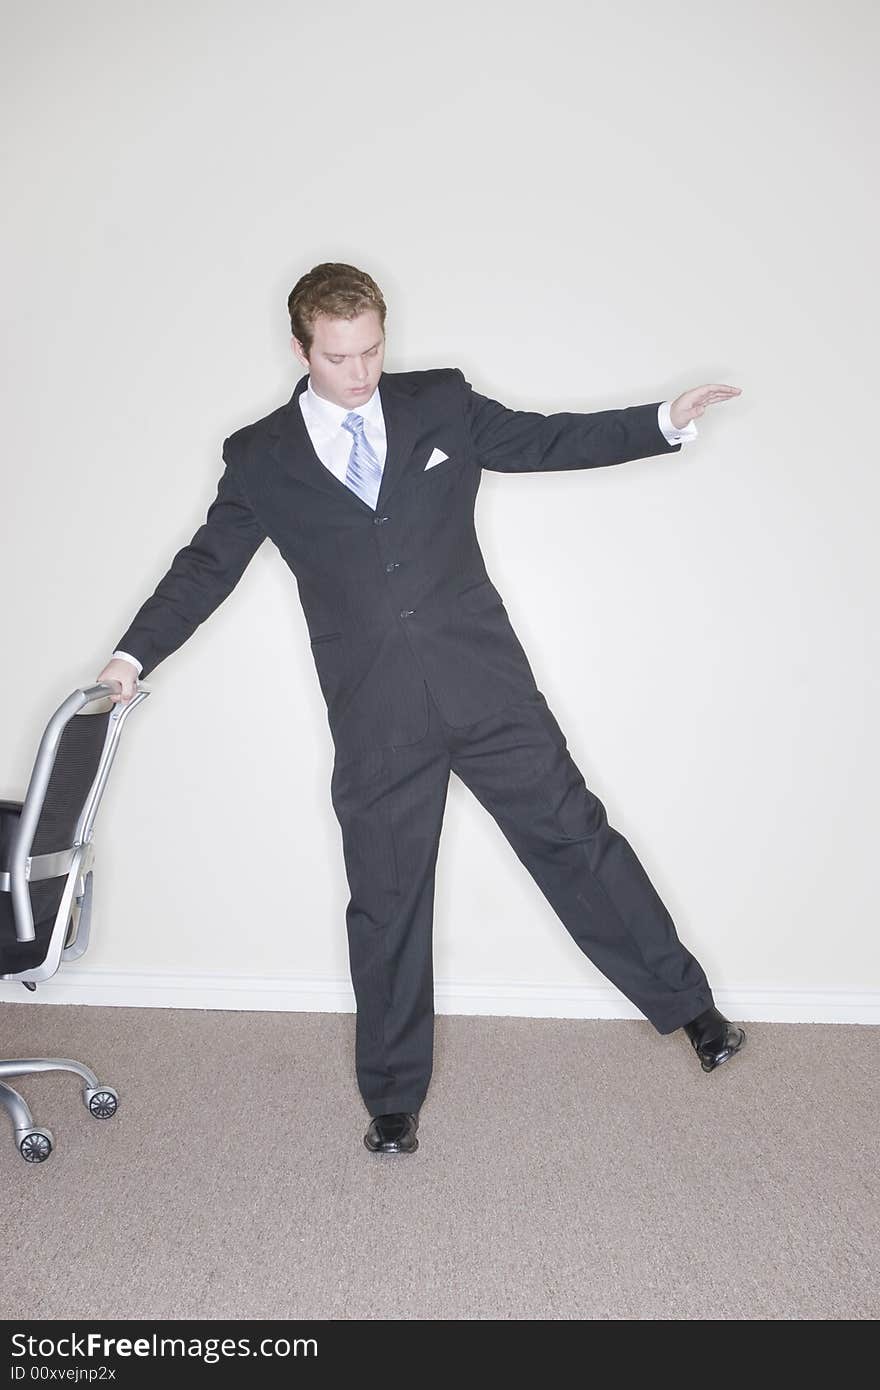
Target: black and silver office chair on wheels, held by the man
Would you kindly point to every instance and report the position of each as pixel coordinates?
(47, 857)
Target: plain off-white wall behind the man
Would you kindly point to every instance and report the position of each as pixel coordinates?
(582, 206)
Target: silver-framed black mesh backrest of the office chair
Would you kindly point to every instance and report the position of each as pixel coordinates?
(51, 847)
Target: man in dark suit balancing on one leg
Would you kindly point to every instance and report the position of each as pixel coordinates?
(366, 482)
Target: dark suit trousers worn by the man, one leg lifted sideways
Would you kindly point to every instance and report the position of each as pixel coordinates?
(390, 804)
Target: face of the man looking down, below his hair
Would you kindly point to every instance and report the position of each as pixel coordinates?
(347, 358)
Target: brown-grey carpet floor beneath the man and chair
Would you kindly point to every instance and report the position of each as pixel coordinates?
(567, 1170)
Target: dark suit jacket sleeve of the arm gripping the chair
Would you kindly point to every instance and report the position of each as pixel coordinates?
(201, 576)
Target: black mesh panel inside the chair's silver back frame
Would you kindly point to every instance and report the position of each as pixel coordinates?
(76, 768)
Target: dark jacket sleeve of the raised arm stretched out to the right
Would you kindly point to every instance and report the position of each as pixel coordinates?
(523, 441)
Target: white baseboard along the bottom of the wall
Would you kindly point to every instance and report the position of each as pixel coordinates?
(144, 989)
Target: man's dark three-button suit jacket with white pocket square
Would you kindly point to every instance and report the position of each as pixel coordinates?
(401, 596)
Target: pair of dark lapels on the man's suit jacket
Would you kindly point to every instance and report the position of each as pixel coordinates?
(294, 450)
